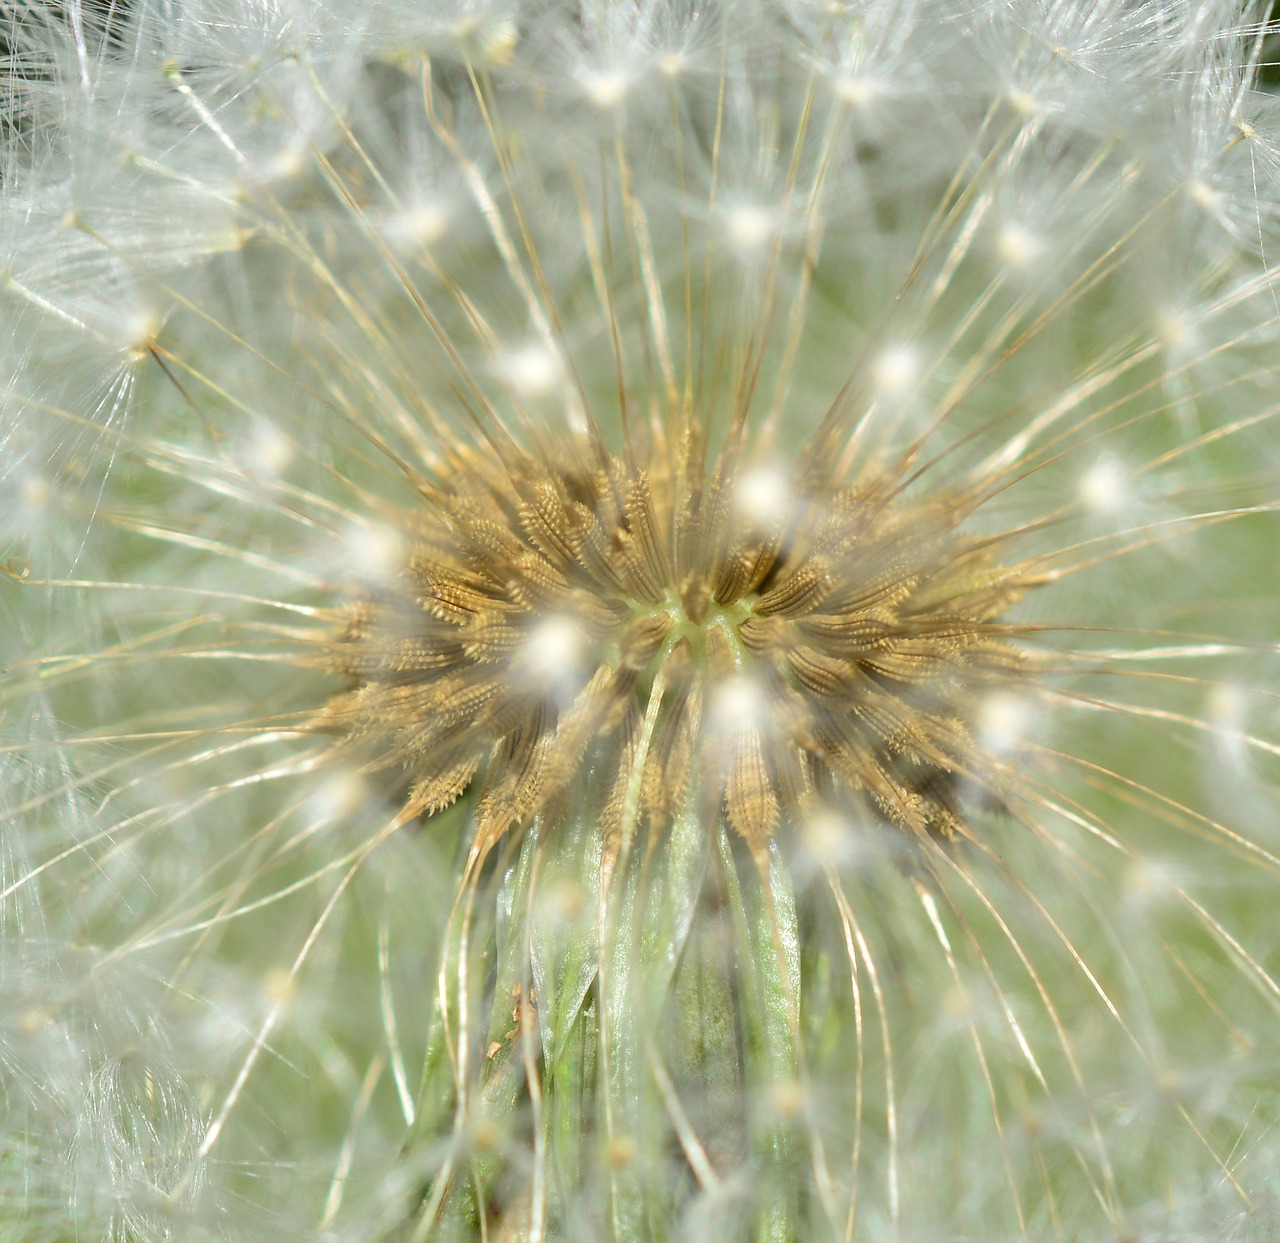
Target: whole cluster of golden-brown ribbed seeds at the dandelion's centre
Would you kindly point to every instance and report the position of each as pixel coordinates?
(632, 636)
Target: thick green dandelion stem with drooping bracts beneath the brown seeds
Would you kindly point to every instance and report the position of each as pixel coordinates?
(685, 1047)
